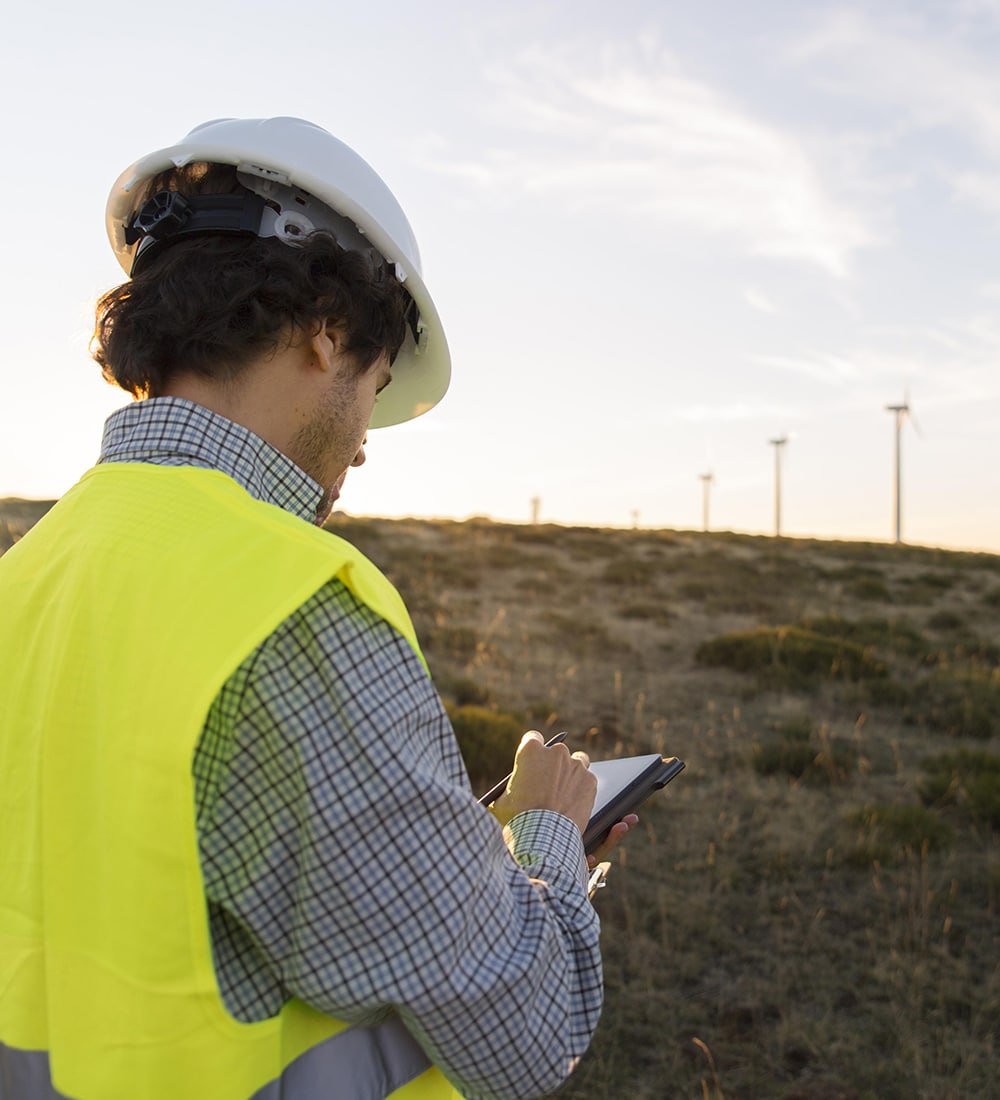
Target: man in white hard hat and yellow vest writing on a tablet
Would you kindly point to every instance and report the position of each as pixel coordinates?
(241, 856)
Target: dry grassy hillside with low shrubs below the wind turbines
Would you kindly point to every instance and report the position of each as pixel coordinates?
(810, 911)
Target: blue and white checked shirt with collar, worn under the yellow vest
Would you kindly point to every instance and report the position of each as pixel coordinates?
(345, 857)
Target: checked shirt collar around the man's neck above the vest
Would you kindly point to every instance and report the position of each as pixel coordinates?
(172, 432)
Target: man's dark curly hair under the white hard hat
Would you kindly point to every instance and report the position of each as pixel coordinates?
(212, 304)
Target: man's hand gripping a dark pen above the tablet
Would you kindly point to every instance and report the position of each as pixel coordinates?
(548, 779)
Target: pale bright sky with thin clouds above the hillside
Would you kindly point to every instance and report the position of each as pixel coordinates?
(660, 235)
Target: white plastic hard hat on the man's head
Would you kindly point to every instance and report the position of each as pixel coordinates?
(281, 159)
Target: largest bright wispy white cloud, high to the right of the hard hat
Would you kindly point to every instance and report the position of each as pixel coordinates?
(630, 133)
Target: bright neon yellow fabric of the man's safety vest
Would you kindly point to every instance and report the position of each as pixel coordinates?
(123, 613)
